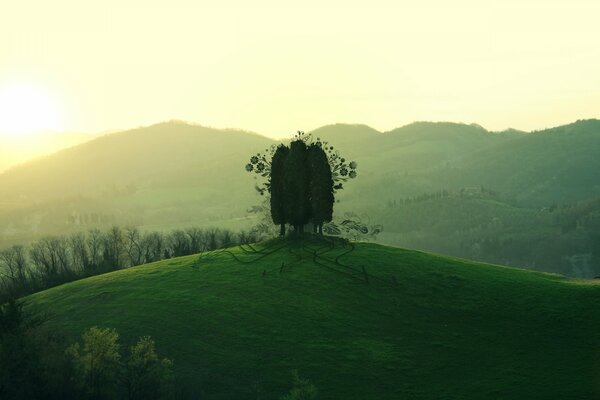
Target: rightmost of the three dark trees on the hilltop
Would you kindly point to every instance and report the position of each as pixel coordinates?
(321, 187)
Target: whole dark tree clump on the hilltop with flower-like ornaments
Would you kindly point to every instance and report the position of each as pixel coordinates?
(302, 179)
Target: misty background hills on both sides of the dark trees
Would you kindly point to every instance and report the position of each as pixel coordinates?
(487, 190)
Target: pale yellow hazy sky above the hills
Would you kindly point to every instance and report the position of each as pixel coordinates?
(275, 67)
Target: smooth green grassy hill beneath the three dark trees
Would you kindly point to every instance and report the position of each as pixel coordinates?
(450, 329)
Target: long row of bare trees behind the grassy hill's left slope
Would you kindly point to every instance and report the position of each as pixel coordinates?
(54, 260)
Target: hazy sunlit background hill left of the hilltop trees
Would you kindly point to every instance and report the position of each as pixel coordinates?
(164, 175)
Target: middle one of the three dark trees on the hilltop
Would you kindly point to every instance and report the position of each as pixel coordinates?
(296, 184)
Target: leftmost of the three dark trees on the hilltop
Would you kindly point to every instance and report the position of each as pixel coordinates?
(277, 187)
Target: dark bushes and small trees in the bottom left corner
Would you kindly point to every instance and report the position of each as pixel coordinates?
(37, 364)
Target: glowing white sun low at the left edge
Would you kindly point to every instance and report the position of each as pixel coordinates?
(27, 109)
